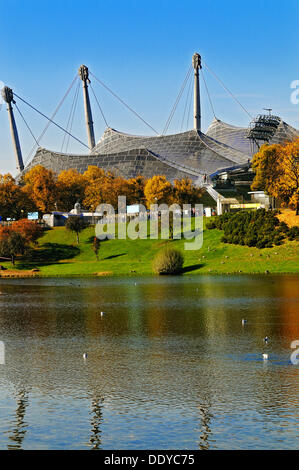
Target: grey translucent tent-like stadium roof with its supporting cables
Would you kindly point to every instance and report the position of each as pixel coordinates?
(190, 153)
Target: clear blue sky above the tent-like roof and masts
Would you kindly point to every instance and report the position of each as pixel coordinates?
(142, 50)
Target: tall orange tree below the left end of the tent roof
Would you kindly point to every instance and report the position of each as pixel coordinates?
(40, 184)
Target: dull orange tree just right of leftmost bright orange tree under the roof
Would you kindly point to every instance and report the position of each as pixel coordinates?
(70, 188)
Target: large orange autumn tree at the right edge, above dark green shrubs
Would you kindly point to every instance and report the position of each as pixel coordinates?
(277, 172)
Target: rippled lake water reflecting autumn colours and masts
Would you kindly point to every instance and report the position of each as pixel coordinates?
(169, 366)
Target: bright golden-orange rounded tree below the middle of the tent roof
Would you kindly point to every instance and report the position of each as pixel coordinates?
(158, 190)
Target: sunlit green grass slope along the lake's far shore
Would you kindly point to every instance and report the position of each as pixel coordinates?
(59, 255)
